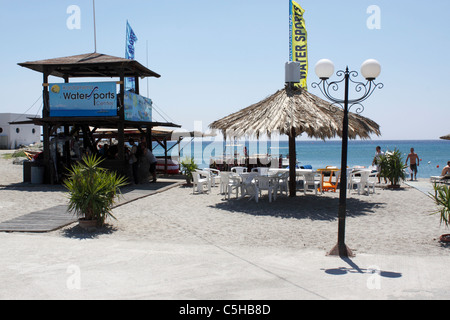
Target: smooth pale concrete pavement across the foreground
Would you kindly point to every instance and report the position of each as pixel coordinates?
(44, 267)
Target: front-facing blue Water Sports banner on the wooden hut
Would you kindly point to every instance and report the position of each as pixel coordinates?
(84, 99)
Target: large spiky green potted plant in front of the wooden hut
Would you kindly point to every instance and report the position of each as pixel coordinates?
(92, 191)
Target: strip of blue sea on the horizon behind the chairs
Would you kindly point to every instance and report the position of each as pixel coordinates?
(433, 154)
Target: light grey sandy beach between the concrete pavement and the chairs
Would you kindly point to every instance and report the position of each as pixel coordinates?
(388, 223)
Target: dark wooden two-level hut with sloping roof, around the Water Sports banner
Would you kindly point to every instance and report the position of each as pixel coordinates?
(90, 65)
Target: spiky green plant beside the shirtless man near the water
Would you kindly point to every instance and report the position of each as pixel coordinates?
(393, 168)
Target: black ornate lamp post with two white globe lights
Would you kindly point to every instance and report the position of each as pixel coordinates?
(370, 70)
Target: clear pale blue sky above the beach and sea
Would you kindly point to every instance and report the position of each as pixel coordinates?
(217, 57)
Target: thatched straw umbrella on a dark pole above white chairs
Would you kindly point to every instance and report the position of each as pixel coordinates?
(293, 112)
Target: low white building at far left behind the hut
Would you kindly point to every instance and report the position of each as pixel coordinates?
(14, 135)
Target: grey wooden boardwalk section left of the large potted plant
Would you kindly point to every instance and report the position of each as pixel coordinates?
(40, 221)
